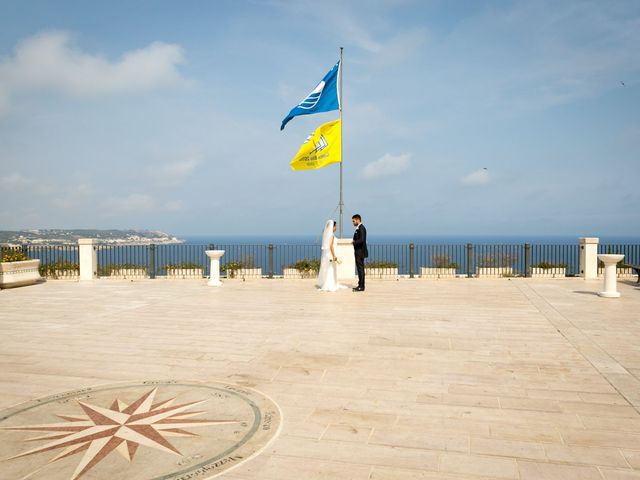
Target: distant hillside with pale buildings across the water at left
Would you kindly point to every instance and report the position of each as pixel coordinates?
(61, 237)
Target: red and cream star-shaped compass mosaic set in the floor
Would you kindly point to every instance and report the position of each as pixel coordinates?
(120, 427)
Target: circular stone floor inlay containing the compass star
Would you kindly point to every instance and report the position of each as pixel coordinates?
(160, 430)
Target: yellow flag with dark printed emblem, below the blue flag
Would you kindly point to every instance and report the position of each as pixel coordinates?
(320, 149)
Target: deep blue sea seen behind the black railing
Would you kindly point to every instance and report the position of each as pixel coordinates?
(429, 250)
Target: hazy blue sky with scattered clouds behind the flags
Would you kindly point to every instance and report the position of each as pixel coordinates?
(465, 117)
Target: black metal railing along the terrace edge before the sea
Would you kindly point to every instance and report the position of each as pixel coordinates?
(275, 260)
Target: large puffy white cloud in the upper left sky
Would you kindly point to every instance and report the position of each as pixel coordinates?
(51, 62)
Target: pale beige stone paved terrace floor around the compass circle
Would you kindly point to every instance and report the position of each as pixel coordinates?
(414, 379)
